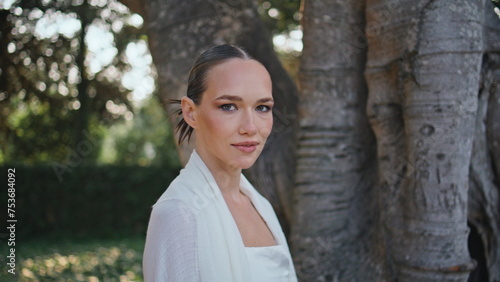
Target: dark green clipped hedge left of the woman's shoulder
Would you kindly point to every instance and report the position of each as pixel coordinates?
(90, 201)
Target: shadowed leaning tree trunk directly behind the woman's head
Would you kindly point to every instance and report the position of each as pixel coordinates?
(180, 30)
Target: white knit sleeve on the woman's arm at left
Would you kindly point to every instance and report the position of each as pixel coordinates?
(171, 250)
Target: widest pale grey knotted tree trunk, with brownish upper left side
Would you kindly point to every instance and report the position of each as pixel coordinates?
(423, 73)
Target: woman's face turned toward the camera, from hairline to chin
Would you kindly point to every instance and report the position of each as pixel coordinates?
(234, 117)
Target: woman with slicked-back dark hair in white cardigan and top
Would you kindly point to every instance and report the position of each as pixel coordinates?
(211, 224)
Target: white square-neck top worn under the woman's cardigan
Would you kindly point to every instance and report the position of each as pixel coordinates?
(268, 263)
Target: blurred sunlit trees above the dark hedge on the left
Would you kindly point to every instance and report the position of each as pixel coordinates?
(74, 69)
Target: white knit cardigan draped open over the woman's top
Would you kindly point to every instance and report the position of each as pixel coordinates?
(192, 235)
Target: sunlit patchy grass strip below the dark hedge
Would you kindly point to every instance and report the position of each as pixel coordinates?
(83, 260)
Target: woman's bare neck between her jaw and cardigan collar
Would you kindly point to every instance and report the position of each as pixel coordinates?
(226, 176)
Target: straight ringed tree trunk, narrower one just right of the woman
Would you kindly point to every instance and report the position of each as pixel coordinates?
(332, 220)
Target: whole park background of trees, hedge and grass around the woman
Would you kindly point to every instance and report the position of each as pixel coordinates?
(84, 121)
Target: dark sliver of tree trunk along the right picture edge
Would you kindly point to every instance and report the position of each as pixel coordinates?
(484, 200)
